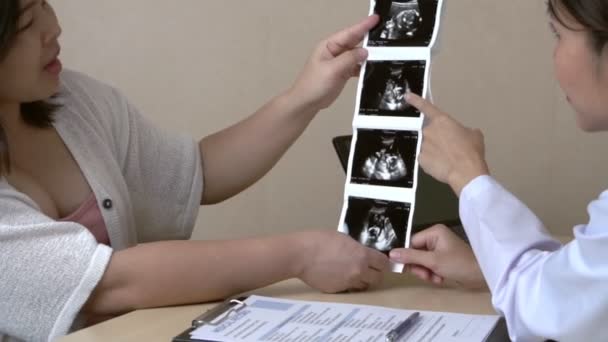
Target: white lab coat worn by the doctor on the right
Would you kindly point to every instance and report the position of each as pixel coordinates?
(543, 289)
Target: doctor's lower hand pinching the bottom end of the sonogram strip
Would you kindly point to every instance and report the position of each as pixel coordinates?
(438, 255)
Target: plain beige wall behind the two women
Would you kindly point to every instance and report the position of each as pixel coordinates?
(199, 65)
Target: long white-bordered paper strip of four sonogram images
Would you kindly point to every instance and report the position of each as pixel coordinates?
(382, 175)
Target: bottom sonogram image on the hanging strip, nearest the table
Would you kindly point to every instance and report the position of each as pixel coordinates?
(381, 225)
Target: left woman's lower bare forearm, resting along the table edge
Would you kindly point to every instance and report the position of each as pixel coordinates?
(180, 272)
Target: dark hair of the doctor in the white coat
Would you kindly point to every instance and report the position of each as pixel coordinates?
(591, 14)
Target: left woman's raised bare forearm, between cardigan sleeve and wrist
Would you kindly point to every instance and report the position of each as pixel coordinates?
(237, 157)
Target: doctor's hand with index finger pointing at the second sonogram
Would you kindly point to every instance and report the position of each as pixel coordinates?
(451, 153)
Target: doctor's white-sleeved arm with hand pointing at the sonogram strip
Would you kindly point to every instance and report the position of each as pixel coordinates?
(543, 289)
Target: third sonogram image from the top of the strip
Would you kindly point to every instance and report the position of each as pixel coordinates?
(385, 158)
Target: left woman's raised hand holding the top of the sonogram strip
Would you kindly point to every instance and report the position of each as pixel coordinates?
(334, 61)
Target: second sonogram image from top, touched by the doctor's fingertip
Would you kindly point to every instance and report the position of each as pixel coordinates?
(385, 85)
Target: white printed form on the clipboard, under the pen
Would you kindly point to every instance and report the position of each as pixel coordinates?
(271, 319)
